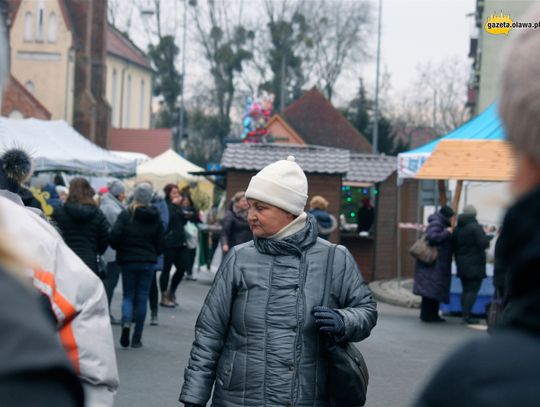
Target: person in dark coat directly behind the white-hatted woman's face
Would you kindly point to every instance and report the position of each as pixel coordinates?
(235, 229)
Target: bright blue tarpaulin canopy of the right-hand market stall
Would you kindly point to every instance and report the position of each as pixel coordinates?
(485, 126)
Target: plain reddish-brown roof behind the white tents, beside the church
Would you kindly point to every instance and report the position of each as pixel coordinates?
(151, 142)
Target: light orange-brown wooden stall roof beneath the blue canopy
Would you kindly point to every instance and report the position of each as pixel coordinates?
(470, 160)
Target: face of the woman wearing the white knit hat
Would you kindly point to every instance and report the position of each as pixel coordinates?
(266, 220)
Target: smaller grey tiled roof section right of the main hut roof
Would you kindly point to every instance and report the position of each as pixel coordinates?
(370, 168)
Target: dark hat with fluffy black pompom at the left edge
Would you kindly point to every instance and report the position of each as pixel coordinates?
(15, 169)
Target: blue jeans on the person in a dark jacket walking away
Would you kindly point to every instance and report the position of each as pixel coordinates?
(136, 280)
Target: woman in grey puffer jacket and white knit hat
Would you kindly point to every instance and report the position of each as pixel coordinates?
(258, 334)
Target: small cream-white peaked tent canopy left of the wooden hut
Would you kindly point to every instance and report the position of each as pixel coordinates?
(169, 167)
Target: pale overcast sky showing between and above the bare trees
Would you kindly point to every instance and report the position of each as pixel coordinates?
(413, 32)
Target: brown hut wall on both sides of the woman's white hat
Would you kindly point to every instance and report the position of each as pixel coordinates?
(328, 186)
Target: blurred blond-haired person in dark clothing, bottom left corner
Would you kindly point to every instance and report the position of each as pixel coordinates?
(35, 370)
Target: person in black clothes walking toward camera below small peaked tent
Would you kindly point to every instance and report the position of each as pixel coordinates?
(175, 247)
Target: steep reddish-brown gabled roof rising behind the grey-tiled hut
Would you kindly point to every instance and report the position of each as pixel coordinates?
(319, 123)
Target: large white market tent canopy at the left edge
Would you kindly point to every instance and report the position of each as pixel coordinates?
(55, 146)
